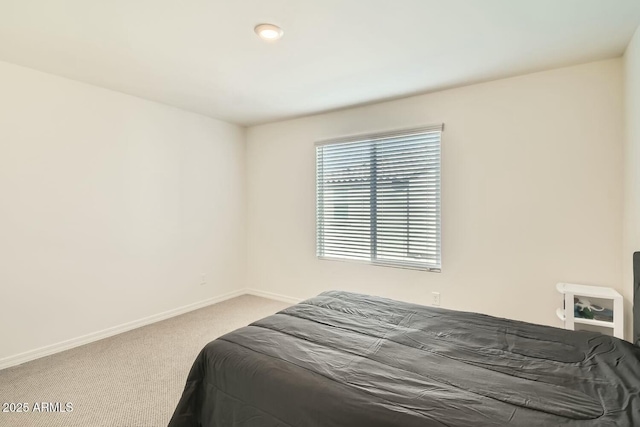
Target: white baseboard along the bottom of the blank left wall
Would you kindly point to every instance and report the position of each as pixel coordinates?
(105, 333)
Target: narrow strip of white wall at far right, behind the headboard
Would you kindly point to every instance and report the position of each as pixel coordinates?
(631, 231)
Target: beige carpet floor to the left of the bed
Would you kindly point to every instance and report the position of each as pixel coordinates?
(133, 379)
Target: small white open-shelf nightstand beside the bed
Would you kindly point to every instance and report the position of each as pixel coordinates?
(571, 290)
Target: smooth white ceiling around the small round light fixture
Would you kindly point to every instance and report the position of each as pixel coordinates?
(203, 56)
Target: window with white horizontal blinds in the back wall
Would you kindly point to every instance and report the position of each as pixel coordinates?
(378, 199)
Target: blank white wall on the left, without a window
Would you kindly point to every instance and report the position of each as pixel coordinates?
(111, 207)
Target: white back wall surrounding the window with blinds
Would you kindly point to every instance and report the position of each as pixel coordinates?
(531, 194)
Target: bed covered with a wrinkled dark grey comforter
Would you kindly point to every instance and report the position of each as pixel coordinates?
(345, 359)
